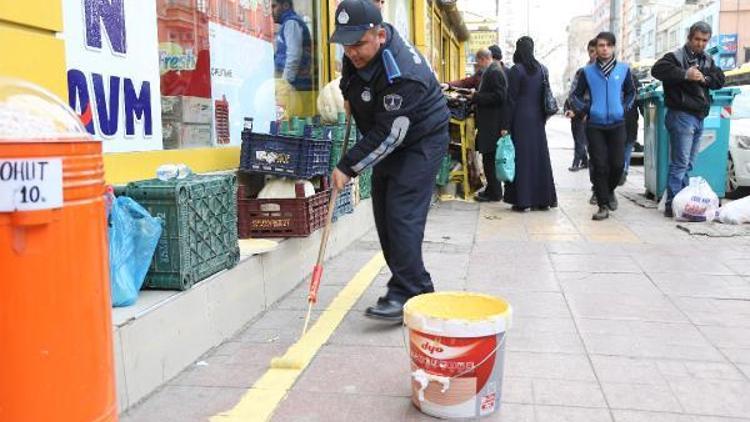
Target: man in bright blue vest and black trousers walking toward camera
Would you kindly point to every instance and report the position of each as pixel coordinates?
(605, 92)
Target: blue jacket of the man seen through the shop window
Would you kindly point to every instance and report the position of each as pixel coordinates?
(300, 73)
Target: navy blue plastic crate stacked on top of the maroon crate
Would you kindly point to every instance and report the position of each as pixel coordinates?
(289, 156)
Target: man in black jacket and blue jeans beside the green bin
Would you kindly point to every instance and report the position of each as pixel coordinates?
(687, 73)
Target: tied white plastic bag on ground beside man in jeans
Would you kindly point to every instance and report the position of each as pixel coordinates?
(696, 203)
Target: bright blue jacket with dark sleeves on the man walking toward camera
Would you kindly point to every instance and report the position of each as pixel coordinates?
(604, 100)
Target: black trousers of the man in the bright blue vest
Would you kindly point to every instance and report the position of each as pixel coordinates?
(607, 149)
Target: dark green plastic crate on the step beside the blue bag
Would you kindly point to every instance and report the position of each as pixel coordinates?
(200, 233)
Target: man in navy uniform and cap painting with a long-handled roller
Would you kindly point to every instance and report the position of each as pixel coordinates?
(403, 118)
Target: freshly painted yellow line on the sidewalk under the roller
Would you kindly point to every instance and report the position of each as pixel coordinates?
(261, 400)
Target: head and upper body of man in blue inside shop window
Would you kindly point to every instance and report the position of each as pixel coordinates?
(293, 55)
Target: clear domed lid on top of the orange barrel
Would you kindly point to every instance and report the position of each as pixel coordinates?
(29, 113)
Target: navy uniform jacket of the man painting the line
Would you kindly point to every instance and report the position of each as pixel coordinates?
(397, 104)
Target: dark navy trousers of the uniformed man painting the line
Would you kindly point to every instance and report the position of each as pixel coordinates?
(402, 186)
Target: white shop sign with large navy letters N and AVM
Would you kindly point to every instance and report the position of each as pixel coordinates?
(113, 71)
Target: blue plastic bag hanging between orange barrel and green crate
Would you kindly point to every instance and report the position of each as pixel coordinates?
(133, 235)
